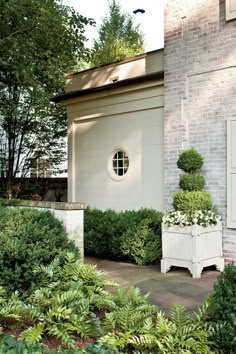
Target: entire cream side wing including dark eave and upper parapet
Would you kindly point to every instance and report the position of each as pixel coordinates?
(103, 116)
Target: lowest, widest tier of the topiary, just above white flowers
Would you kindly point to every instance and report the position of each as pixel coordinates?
(191, 201)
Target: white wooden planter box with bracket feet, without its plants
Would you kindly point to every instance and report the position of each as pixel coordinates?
(193, 247)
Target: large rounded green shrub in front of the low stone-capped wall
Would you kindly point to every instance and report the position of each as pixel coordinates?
(28, 237)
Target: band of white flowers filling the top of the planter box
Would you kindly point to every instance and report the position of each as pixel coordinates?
(199, 217)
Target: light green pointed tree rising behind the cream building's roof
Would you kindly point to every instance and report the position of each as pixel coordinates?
(118, 38)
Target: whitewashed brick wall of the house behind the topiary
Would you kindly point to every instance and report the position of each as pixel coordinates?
(200, 94)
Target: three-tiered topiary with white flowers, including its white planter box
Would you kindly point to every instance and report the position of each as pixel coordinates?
(192, 233)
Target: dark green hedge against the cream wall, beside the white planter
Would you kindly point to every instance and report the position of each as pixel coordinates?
(128, 235)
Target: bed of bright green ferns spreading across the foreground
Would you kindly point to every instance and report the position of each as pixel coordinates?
(86, 313)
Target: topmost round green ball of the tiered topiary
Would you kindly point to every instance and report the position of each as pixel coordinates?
(190, 160)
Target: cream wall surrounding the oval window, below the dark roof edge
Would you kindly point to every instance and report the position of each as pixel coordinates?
(131, 118)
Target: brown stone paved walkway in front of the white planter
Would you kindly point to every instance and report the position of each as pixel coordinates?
(175, 287)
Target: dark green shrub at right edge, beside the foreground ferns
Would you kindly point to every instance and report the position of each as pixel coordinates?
(223, 309)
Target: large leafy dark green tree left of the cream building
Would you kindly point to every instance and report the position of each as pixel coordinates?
(40, 41)
